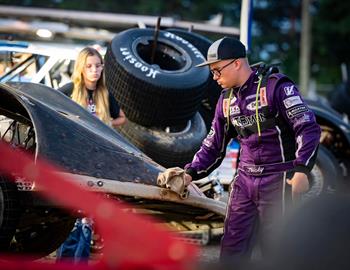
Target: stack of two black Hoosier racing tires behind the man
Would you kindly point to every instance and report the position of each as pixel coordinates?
(160, 90)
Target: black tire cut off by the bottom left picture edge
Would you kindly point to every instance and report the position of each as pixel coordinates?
(9, 212)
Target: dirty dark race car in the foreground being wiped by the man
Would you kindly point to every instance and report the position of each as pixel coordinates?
(48, 125)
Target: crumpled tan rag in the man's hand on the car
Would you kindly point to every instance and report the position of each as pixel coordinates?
(174, 179)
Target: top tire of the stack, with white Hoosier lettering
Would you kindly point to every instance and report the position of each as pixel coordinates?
(165, 92)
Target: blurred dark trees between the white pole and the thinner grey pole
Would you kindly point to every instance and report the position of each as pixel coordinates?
(276, 34)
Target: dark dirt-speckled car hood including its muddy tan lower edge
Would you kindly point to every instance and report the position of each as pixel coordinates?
(88, 151)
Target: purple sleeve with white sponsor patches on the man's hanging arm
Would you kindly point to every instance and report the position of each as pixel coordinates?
(302, 121)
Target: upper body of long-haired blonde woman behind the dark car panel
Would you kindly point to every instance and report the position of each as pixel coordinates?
(88, 88)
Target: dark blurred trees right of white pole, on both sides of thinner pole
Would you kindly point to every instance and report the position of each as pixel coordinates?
(276, 36)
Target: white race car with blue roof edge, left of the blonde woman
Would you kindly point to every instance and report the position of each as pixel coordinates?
(49, 64)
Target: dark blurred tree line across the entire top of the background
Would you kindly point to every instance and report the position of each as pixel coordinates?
(275, 33)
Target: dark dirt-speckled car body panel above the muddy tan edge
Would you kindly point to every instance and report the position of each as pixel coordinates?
(73, 139)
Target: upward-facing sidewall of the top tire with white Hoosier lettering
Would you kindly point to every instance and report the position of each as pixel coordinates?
(124, 48)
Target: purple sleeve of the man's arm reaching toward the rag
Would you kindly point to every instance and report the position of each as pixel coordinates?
(213, 147)
